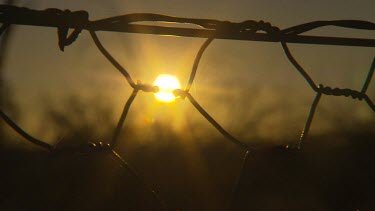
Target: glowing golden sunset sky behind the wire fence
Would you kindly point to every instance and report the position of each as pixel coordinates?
(249, 87)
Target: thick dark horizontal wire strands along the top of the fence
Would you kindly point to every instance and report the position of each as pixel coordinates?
(246, 30)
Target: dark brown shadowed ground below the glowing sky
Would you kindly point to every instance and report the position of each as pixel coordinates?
(322, 176)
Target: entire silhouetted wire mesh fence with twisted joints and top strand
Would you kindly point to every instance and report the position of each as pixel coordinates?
(210, 29)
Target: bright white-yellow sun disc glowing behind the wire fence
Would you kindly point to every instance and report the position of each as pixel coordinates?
(167, 84)
